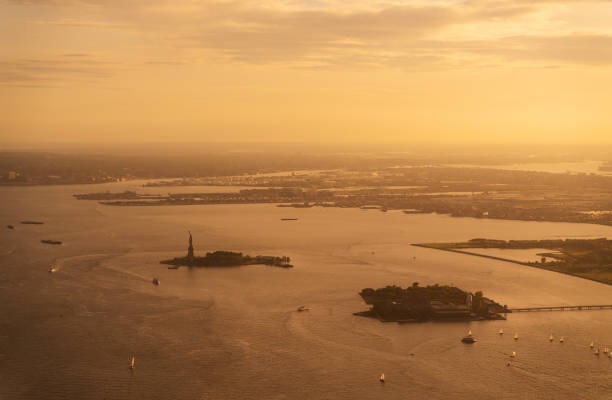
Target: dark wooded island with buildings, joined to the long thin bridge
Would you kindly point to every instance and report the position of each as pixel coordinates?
(422, 303)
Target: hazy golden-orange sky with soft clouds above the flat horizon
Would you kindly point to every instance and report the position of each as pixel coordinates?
(343, 71)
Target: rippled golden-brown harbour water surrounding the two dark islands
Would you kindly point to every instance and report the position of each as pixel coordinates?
(234, 333)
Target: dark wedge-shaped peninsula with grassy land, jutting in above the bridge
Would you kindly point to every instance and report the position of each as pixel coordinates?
(585, 258)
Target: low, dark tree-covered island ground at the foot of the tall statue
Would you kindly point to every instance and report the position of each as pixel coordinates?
(229, 259)
